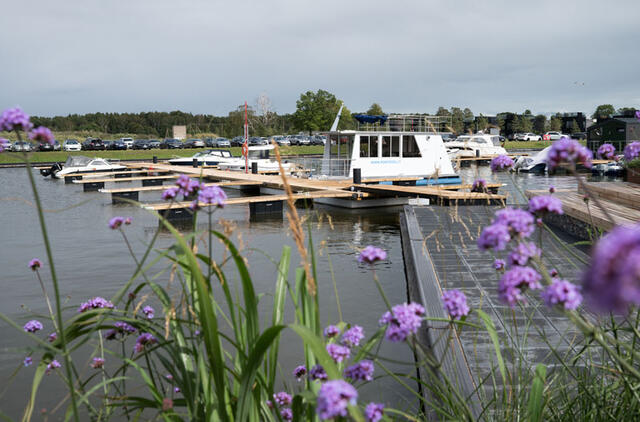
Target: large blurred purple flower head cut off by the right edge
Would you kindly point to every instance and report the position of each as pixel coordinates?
(612, 282)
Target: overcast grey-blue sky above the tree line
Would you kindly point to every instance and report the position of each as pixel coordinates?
(79, 56)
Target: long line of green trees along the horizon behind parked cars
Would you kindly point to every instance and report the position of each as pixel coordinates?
(315, 111)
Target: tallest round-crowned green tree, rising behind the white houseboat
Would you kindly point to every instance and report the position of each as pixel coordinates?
(316, 111)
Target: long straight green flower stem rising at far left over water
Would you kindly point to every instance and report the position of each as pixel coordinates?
(54, 279)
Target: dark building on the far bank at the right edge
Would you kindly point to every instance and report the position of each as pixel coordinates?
(617, 130)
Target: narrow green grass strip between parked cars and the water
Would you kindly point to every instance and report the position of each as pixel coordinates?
(61, 156)
